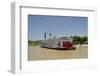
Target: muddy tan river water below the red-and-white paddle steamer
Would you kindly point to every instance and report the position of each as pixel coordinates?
(38, 53)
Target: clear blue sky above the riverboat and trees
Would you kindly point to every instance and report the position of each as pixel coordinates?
(56, 25)
